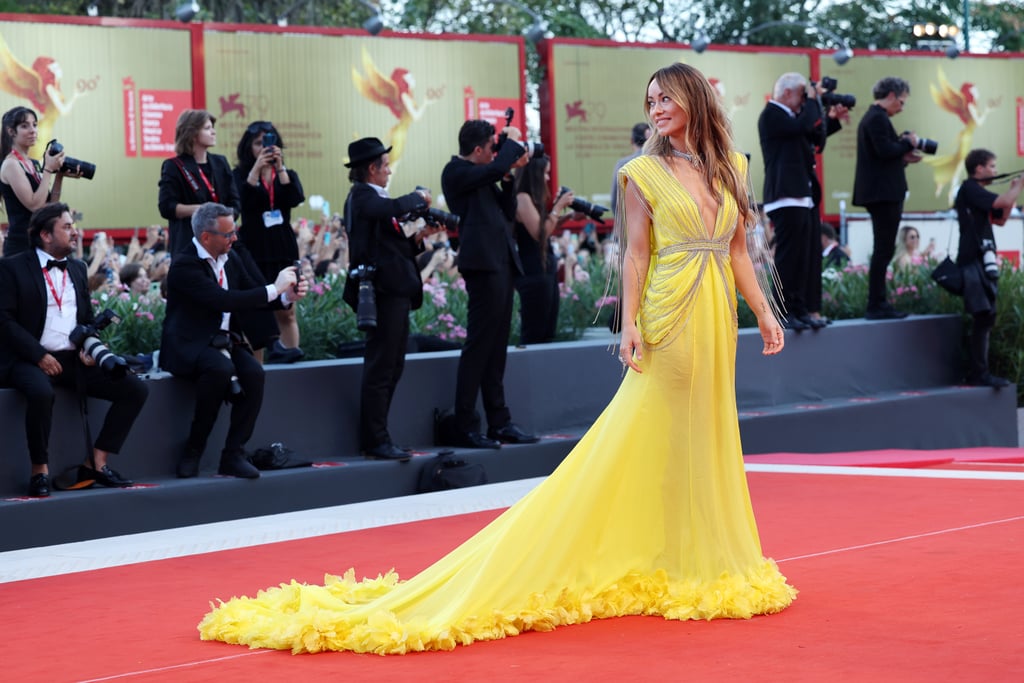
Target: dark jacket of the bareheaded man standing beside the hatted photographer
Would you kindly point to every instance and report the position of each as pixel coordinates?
(486, 239)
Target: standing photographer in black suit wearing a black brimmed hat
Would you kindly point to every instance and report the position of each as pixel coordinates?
(382, 252)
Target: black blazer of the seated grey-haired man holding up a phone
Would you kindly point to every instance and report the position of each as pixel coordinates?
(196, 304)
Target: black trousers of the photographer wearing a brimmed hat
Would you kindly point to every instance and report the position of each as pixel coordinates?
(383, 363)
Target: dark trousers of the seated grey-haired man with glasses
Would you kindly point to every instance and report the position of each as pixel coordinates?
(214, 378)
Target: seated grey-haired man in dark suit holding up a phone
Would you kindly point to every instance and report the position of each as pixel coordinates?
(207, 288)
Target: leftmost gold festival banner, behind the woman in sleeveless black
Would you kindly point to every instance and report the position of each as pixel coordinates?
(111, 97)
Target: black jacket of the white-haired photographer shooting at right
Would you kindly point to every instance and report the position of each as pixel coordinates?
(788, 145)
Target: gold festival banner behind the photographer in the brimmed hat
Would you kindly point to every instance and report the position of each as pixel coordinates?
(322, 93)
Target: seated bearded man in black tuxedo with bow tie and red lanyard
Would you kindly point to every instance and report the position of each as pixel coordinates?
(45, 295)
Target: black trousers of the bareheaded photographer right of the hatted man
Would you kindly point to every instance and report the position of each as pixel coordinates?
(482, 366)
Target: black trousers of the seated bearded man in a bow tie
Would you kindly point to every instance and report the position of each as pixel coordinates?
(126, 395)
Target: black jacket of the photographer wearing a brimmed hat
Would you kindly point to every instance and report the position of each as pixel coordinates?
(375, 240)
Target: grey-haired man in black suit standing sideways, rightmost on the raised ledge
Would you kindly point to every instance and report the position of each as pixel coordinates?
(880, 185)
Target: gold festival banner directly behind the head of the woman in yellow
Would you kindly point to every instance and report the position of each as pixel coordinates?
(600, 93)
